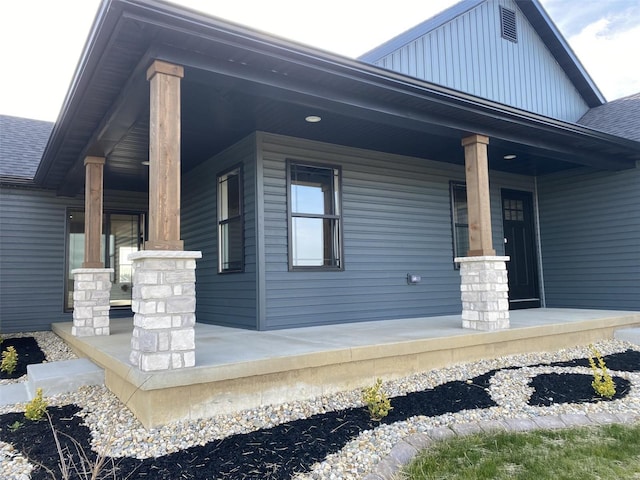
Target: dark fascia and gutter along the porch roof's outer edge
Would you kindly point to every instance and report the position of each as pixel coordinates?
(305, 57)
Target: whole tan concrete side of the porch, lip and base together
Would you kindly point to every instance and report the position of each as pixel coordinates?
(203, 391)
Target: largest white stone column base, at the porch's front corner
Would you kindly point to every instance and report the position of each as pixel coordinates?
(164, 306)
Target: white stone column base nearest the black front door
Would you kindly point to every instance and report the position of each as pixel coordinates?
(484, 291)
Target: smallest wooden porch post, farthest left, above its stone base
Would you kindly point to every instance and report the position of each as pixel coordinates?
(93, 212)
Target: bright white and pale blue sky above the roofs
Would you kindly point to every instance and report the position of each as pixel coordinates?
(41, 40)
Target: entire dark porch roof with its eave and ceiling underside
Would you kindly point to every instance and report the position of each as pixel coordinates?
(239, 80)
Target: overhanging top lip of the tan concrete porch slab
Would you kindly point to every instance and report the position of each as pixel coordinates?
(557, 336)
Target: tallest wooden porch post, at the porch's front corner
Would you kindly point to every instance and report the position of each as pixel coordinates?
(164, 156)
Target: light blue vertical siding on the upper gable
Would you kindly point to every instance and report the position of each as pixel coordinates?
(469, 54)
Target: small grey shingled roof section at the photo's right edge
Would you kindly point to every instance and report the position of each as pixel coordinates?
(619, 117)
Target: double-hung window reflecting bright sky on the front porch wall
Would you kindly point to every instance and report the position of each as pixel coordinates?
(314, 217)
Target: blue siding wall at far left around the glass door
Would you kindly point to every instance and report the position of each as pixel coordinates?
(32, 254)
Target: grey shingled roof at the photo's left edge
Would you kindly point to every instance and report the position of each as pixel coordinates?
(22, 141)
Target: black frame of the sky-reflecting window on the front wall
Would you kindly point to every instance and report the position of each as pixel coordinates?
(337, 218)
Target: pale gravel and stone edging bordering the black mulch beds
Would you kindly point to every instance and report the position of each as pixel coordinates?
(364, 454)
